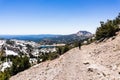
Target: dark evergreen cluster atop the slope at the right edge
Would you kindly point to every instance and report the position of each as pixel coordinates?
(108, 29)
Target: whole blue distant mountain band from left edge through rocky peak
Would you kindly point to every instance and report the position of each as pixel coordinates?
(52, 37)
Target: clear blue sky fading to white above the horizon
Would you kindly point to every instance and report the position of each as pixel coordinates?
(54, 16)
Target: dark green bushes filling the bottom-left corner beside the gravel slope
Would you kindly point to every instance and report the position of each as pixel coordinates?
(18, 64)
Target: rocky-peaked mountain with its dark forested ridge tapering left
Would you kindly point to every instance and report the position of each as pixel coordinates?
(79, 36)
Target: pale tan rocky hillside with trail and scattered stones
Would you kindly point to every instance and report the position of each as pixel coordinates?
(97, 61)
